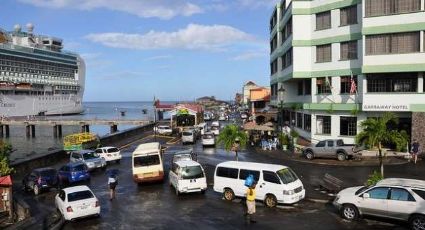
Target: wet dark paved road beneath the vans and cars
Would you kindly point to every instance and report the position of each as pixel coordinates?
(155, 206)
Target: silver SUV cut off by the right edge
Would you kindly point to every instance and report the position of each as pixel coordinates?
(394, 198)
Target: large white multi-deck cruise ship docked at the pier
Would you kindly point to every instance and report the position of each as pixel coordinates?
(37, 77)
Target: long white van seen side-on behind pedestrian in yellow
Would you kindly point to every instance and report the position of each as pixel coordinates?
(275, 183)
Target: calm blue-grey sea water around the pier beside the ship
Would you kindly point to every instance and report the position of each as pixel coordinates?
(44, 141)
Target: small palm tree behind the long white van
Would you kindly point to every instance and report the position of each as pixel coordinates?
(233, 138)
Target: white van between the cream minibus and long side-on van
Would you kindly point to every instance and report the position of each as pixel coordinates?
(187, 176)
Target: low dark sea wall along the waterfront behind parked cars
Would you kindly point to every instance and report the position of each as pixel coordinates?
(42, 160)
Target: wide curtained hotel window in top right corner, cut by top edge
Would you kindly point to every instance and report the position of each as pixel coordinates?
(388, 7)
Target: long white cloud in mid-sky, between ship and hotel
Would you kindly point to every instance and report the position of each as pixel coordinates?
(194, 36)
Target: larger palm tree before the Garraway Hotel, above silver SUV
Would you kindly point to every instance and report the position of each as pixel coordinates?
(375, 132)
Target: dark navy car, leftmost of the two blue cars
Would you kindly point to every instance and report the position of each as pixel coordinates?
(40, 179)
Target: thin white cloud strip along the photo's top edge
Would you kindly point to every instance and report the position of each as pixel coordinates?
(163, 9)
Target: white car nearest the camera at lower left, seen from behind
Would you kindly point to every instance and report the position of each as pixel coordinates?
(77, 202)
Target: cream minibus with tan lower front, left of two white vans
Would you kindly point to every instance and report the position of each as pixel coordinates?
(147, 163)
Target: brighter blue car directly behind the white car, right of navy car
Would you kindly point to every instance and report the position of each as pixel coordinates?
(73, 172)
